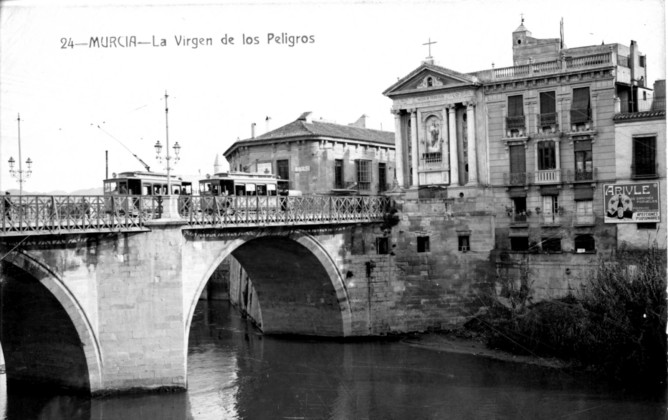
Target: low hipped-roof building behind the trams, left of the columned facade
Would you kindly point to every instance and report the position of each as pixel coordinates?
(317, 157)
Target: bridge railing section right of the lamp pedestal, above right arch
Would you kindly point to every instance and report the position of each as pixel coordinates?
(280, 210)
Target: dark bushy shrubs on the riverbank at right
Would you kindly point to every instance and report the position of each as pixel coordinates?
(615, 325)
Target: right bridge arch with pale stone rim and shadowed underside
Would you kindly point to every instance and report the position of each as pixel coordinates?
(300, 288)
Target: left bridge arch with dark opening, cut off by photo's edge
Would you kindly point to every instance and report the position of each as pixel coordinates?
(80, 370)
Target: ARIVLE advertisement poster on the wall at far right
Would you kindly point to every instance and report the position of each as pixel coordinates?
(632, 203)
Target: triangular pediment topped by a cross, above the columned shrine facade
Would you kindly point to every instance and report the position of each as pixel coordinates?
(430, 77)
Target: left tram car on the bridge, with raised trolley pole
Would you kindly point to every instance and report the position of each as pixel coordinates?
(124, 192)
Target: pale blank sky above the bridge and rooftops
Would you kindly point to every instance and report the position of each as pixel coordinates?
(79, 103)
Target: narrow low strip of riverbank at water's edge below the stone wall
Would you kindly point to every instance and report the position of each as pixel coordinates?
(464, 342)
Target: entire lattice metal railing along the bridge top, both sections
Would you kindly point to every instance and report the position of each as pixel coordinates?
(48, 215)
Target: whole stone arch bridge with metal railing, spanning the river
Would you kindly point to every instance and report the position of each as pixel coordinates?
(98, 292)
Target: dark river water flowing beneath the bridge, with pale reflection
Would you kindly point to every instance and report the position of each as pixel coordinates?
(235, 373)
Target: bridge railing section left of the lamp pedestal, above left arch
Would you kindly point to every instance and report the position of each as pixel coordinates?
(67, 213)
